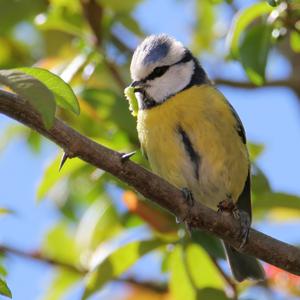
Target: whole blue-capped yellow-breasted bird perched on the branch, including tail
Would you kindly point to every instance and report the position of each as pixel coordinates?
(192, 136)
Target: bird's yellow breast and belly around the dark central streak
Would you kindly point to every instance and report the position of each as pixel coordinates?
(203, 113)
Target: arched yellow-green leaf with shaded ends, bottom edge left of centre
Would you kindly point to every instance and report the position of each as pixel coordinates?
(117, 263)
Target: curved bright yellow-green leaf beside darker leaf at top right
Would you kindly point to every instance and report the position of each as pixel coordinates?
(243, 19)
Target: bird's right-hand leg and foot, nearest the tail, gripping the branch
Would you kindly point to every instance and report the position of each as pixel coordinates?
(238, 214)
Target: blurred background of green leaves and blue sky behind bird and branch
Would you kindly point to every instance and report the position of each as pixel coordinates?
(92, 235)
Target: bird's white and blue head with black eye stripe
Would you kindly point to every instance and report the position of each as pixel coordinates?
(160, 68)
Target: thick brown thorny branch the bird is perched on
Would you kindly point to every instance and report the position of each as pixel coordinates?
(264, 247)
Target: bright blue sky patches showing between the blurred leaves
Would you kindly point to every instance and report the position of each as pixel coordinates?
(270, 116)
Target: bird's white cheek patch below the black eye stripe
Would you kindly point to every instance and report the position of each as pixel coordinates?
(173, 81)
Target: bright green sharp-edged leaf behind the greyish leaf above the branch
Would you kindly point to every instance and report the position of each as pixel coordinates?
(63, 93)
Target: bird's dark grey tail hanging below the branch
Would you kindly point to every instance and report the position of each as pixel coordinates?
(244, 266)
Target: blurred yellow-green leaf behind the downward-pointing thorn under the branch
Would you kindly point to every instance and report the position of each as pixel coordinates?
(52, 175)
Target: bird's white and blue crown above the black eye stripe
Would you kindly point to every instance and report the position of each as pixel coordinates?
(155, 50)
